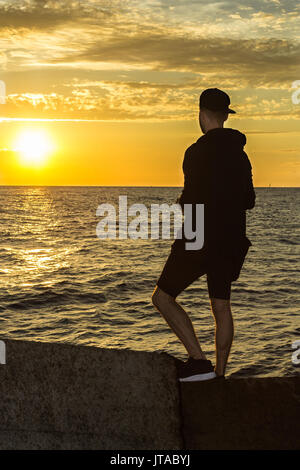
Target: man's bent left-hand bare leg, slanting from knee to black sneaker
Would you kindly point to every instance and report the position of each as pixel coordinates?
(179, 322)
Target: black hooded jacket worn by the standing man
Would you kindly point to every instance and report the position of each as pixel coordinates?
(218, 174)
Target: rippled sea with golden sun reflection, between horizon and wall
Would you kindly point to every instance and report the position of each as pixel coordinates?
(61, 283)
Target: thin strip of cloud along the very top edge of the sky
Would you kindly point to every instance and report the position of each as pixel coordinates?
(228, 18)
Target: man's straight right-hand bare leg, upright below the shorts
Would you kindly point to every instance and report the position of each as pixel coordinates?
(223, 333)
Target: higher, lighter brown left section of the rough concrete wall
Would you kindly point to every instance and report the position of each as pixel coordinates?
(57, 396)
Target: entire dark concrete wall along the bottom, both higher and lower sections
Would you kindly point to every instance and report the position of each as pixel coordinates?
(55, 396)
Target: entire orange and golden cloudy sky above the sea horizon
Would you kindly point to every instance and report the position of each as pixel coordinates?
(115, 86)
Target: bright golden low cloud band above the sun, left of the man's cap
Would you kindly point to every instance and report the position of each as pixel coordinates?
(109, 101)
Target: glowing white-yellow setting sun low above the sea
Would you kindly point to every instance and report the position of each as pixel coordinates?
(34, 147)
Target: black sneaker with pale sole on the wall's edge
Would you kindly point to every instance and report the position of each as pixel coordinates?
(194, 370)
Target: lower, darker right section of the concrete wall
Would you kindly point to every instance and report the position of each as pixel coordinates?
(238, 414)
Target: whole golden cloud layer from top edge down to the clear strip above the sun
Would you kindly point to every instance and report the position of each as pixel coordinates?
(179, 47)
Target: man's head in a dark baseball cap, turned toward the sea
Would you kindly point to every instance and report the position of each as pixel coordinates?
(214, 109)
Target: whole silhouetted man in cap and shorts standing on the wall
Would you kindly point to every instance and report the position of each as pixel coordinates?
(217, 173)
